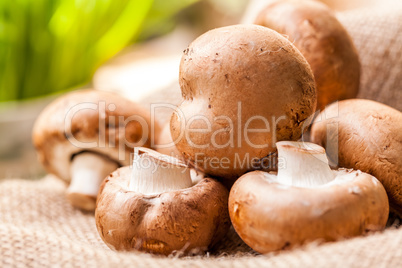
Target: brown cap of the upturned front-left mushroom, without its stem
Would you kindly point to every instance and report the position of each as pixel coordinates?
(183, 220)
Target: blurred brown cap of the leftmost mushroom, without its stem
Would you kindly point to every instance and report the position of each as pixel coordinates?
(89, 120)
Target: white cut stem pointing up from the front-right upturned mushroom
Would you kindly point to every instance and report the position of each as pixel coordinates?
(303, 164)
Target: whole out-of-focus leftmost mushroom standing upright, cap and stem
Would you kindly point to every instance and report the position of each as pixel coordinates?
(83, 136)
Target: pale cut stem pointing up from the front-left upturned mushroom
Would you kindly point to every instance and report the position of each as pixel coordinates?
(155, 173)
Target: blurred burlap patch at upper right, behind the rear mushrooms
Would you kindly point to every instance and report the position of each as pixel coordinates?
(377, 35)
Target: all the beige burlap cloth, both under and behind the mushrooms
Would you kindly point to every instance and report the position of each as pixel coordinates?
(38, 228)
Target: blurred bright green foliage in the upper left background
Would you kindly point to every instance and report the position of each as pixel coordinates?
(49, 46)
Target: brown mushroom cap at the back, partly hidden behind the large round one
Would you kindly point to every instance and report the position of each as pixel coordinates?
(324, 42)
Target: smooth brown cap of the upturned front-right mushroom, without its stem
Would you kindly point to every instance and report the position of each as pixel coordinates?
(269, 216)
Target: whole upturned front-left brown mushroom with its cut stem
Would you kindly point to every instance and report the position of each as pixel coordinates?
(155, 207)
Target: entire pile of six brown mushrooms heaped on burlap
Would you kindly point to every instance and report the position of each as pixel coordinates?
(297, 58)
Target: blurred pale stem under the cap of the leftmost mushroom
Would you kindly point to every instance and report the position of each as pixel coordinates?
(88, 170)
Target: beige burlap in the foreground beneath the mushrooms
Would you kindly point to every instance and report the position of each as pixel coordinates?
(38, 228)
